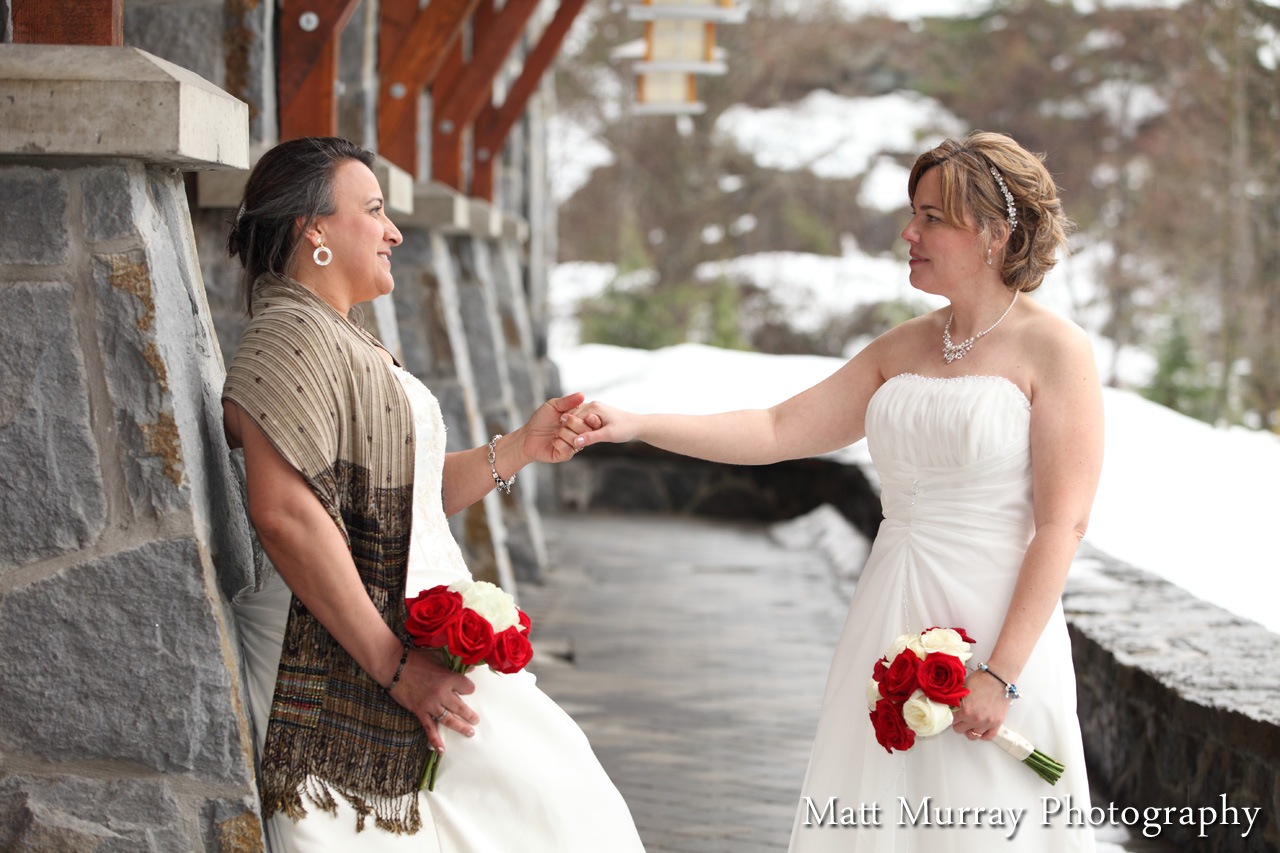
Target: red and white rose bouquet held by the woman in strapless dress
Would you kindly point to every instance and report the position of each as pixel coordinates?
(918, 683)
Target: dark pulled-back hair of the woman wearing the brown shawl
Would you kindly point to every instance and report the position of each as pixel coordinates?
(291, 185)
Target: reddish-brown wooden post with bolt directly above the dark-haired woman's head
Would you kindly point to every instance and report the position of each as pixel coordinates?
(309, 66)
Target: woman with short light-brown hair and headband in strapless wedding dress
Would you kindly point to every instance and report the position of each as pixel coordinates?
(985, 423)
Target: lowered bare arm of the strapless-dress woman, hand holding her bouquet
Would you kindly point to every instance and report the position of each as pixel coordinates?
(1067, 463)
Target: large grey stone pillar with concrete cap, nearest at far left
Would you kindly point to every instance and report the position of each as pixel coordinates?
(124, 723)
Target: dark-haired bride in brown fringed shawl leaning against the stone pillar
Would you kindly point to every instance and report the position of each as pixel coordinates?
(350, 490)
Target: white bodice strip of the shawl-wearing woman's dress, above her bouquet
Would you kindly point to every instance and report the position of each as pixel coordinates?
(435, 554)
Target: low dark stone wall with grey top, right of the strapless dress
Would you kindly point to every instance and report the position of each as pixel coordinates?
(1180, 705)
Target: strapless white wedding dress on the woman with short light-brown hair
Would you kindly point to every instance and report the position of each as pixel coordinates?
(954, 460)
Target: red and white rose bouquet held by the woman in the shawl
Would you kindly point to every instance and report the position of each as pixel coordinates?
(472, 623)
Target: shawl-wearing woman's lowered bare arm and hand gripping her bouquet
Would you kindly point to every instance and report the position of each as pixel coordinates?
(314, 560)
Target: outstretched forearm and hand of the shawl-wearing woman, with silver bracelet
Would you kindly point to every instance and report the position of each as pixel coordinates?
(543, 439)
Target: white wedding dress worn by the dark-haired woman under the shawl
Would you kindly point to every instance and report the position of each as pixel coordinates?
(527, 782)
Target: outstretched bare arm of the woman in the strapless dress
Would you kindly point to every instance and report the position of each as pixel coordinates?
(822, 419)
